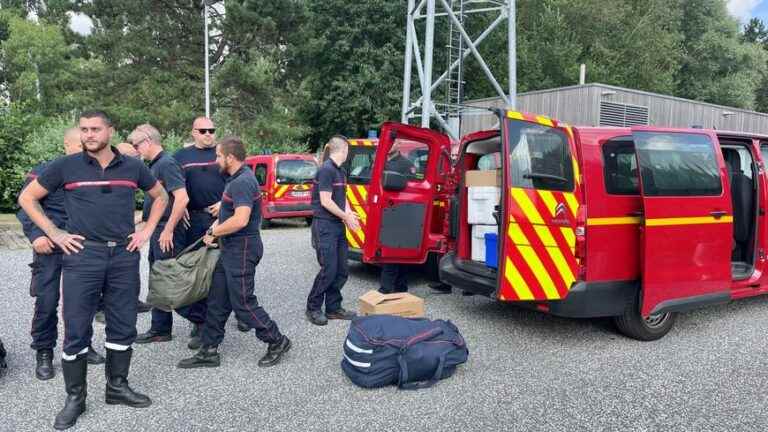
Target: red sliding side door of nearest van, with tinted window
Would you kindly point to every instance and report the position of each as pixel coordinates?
(687, 233)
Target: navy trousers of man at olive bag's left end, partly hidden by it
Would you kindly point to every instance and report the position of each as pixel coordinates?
(162, 321)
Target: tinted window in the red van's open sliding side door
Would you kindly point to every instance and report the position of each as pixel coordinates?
(677, 164)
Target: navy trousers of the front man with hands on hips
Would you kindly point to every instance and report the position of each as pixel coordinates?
(100, 272)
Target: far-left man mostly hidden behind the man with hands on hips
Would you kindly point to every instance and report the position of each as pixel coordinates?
(46, 270)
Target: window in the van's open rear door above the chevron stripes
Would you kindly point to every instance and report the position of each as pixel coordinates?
(539, 157)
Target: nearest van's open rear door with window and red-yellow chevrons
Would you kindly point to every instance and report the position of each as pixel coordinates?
(540, 200)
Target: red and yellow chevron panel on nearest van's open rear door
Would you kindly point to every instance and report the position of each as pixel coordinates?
(539, 252)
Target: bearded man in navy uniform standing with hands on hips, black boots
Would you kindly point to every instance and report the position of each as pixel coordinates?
(101, 258)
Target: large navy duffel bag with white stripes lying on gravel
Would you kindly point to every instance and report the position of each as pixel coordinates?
(382, 350)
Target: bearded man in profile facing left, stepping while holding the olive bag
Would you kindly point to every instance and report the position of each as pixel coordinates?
(232, 287)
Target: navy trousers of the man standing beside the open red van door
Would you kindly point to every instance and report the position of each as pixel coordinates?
(329, 239)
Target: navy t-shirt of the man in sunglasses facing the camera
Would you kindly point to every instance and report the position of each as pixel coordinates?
(205, 183)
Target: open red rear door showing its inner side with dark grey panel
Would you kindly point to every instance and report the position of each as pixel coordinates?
(401, 203)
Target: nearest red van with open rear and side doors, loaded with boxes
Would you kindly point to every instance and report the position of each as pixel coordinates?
(637, 224)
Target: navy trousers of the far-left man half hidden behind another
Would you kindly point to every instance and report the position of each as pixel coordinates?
(44, 287)
